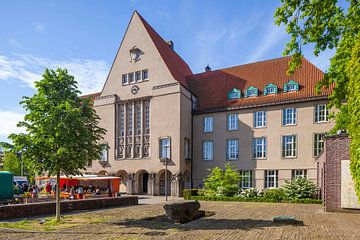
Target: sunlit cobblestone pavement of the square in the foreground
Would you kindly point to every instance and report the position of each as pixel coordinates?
(230, 220)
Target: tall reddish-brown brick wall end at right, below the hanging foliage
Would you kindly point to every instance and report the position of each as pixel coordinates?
(329, 170)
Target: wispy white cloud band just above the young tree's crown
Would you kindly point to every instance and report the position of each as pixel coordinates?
(90, 74)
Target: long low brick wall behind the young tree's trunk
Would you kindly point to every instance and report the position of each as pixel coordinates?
(34, 209)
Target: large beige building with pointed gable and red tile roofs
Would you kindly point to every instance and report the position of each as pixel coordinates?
(157, 112)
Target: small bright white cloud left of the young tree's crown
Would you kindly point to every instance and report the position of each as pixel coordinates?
(8, 122)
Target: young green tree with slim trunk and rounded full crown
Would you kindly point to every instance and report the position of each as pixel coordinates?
(62, 128)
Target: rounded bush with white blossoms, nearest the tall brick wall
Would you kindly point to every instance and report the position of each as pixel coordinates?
(299, 188)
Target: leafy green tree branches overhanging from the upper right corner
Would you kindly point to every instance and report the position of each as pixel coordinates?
(326, 25)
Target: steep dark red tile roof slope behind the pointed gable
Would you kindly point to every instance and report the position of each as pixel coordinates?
(177, 66)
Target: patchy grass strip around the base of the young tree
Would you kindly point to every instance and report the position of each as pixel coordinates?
(50, 223)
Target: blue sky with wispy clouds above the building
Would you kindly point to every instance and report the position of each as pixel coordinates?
(84, 35)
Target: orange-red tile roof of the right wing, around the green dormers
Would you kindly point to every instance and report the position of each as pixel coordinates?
(211, 88)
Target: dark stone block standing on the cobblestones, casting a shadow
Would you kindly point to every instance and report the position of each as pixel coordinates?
(183, 211)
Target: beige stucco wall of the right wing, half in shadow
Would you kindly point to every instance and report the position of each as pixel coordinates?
(304, 129)
